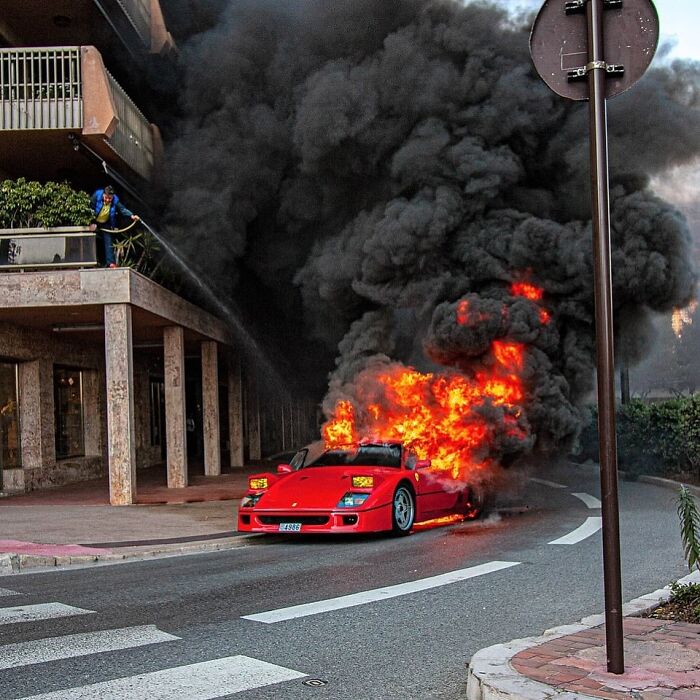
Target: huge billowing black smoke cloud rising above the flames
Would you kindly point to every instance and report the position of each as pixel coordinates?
(358, 168)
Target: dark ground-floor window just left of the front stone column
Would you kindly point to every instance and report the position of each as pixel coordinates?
(68, 402)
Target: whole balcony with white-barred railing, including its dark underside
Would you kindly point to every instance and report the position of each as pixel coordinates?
(53, 99)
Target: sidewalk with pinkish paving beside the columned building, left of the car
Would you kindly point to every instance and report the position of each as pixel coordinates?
(78, 526)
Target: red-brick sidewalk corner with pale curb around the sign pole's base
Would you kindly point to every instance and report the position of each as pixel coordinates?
(662, 661)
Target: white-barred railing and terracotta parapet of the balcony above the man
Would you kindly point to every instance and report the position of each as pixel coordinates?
(54, 88)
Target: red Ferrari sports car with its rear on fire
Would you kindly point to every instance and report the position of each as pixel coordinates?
(370, 487)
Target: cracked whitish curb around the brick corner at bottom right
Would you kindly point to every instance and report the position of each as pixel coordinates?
(491, 677)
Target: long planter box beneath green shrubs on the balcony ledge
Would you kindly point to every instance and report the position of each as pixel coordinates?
(59, 247)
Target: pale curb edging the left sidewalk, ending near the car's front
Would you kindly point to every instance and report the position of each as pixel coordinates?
(16, 563)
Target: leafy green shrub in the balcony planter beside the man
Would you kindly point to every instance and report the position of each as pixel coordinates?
(29, 204)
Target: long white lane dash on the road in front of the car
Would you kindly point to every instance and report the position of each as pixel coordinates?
(377, 594)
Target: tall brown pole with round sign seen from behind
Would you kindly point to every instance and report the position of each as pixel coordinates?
(617, 42)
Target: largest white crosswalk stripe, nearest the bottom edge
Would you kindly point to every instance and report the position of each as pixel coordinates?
(203, 681)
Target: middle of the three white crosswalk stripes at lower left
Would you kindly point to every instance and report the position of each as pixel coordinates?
(74, 645)
